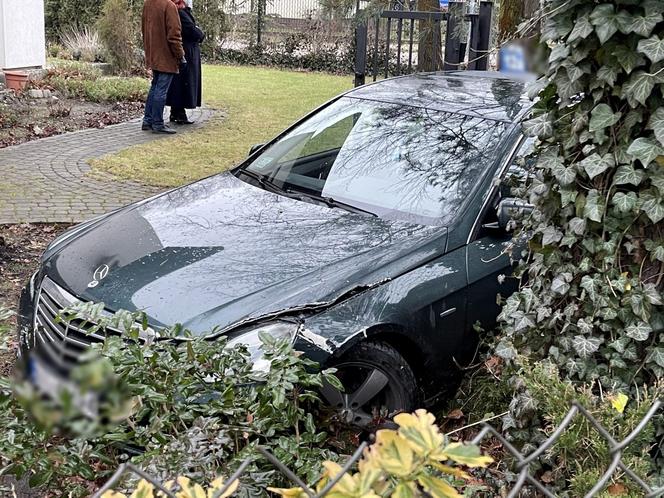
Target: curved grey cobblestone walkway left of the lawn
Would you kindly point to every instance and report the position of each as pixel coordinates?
(46, 180)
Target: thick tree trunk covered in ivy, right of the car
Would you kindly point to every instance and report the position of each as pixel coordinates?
(592, 302)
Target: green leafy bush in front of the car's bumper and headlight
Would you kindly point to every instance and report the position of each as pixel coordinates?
(190, 405)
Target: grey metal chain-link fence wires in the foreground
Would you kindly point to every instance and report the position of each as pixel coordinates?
(525, 477)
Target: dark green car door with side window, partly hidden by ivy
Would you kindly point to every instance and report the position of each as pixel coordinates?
(488, 253)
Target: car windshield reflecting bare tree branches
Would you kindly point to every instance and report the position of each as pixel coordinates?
(398, 162)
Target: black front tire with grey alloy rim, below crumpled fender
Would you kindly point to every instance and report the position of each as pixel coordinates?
(378, 384)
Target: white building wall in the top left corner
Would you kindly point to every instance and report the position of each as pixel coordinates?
(22, 36)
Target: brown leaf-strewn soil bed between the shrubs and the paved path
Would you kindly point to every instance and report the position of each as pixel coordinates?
(23, 118)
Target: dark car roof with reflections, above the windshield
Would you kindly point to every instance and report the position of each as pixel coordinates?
(484, 94)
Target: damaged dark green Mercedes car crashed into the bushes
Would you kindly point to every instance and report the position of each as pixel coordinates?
(372, 233)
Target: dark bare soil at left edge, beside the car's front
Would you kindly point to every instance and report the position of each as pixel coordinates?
(21, 247)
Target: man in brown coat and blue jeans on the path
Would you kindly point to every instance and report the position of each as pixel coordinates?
(162, 39)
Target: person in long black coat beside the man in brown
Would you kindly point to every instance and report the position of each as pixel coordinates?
(186, 88)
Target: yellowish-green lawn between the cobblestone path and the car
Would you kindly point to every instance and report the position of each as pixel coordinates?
(257, 102)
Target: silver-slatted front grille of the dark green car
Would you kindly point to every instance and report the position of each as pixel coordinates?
(60, 343)
